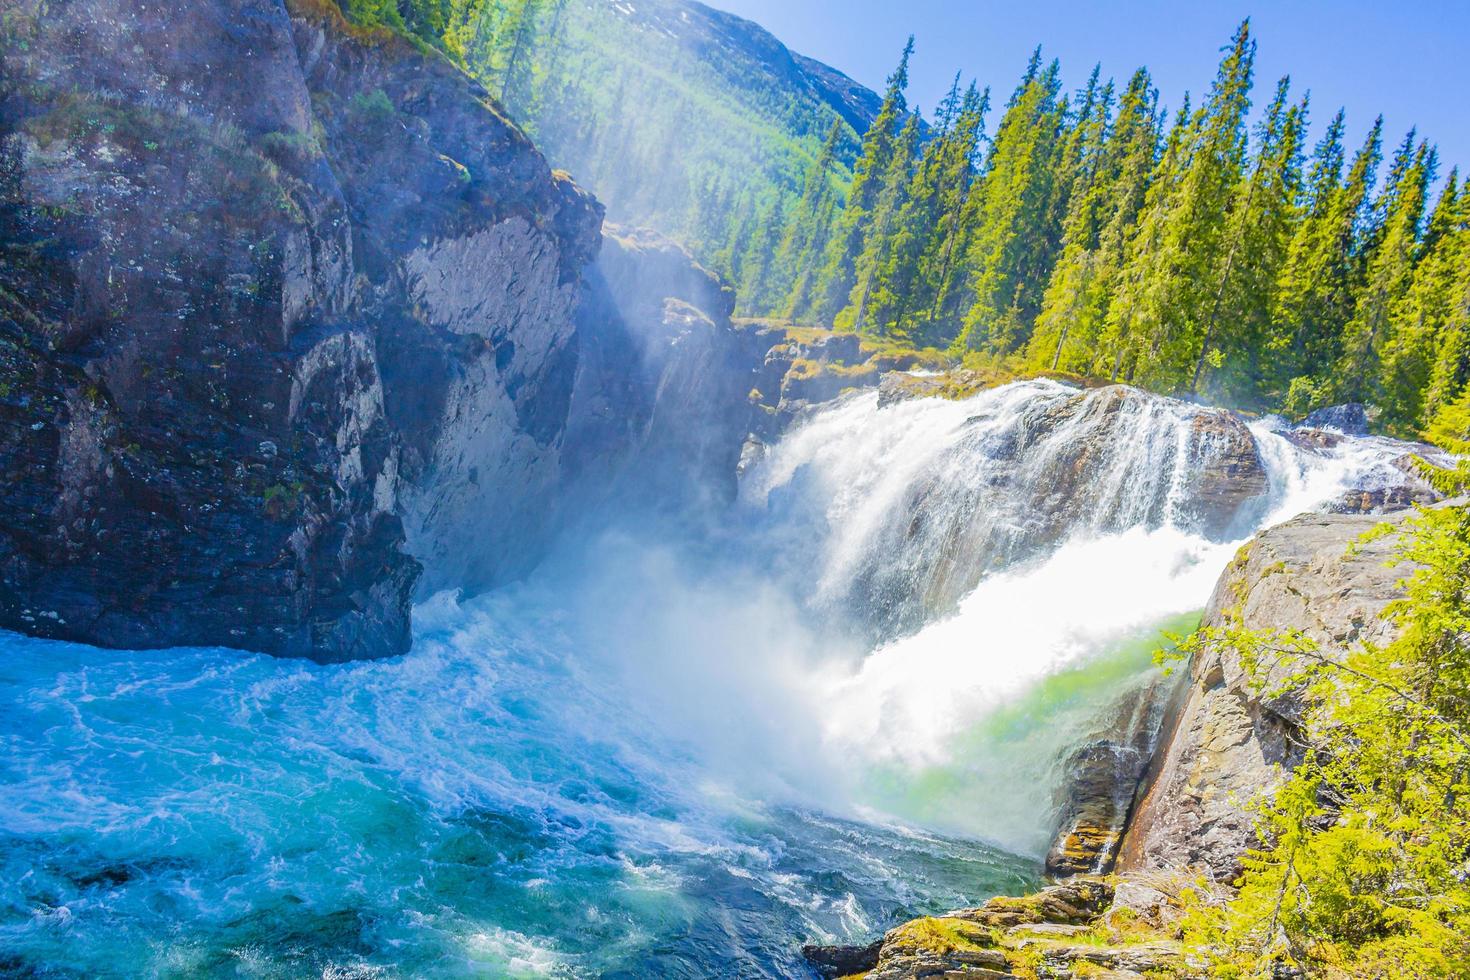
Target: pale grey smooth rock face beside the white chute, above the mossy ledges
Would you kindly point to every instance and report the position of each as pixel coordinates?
(1227, 746)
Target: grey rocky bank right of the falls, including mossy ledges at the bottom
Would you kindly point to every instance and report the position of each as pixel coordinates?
(1222, 749)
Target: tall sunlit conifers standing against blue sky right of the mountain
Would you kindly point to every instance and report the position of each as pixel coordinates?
(1097, 234)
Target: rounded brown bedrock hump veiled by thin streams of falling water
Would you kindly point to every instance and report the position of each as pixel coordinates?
(1019, 480)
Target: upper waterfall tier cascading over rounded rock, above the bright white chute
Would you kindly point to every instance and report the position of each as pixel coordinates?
(905, 509)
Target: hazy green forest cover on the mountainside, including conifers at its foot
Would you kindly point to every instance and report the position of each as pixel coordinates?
(675, 121)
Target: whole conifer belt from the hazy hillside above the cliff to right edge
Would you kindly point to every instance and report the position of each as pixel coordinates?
(1206, 249)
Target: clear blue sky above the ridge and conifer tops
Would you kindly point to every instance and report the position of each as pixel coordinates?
(1408, 60)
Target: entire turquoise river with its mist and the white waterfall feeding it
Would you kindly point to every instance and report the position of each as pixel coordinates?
(662, 754)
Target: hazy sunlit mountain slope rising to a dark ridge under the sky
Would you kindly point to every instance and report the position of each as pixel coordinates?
(677, 115)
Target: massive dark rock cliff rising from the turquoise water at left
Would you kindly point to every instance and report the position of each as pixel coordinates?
(289, 314)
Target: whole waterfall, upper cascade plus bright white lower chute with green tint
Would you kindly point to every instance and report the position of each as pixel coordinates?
(1008, 552)
